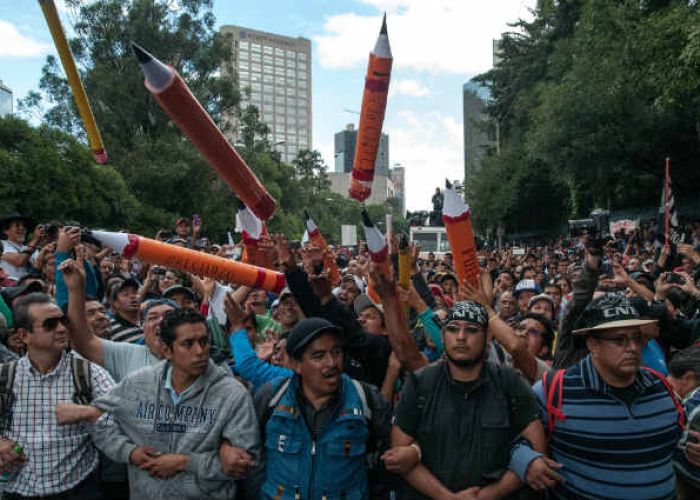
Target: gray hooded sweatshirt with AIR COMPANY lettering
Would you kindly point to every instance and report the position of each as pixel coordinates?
(140, 412)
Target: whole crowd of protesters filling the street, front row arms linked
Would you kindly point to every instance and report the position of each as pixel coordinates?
(570, 370)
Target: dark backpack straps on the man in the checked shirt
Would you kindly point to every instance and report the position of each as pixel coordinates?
(82, 387)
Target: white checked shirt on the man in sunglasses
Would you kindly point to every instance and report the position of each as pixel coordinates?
(59, 457)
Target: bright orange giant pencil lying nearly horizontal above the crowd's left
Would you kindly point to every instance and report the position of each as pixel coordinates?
(191, 261)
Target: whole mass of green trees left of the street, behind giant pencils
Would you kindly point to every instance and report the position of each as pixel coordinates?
(154, 174)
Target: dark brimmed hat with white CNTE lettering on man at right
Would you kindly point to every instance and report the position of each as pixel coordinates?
(612, 310)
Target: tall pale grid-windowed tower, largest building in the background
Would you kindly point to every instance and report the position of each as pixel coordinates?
(277, 70)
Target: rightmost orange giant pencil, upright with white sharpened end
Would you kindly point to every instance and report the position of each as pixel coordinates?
(458, 224)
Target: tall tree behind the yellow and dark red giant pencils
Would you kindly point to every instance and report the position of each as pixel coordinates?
(163, 170)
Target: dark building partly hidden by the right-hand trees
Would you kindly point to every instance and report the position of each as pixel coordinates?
(476, 126)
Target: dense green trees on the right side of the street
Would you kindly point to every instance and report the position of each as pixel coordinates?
(590, 97)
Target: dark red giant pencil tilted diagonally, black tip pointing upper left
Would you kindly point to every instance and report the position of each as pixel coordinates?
(172, 93)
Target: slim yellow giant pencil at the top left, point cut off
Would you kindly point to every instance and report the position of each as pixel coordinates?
(76, 85)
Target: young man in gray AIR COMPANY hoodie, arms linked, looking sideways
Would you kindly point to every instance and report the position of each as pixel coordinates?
(168, 421)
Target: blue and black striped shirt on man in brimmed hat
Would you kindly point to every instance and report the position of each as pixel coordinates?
(610, 450)
